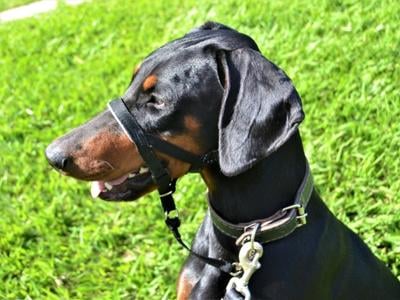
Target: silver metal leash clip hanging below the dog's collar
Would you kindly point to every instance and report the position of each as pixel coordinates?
(249, 256)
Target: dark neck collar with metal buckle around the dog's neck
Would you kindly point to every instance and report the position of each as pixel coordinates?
(274, 227)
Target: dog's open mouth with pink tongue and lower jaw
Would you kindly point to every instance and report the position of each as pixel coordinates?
(127, 187)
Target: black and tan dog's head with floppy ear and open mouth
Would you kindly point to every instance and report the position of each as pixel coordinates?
(209, 89)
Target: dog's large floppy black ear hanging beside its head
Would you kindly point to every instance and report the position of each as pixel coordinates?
(260, 109)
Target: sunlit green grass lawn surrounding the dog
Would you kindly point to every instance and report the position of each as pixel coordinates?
(58, 70)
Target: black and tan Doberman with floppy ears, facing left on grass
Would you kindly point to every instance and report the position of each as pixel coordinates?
(212, 89)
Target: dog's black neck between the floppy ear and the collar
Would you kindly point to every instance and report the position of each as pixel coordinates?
(261, 191)
